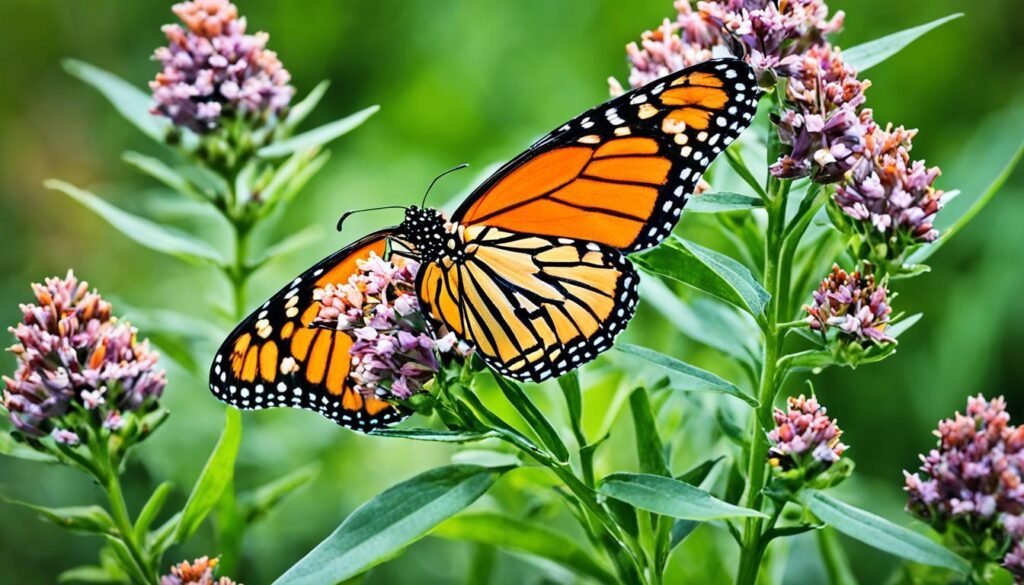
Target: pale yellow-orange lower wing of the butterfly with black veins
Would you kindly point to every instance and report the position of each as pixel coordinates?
(533, 307)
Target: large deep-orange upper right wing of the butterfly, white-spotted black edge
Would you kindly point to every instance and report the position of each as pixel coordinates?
(620, 175)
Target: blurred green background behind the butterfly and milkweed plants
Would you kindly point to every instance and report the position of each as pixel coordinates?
(477, 82)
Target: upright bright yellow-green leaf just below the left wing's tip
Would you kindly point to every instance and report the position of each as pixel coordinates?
(218, 474)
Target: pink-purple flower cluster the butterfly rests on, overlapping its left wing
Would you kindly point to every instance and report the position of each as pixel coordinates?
(394, 353)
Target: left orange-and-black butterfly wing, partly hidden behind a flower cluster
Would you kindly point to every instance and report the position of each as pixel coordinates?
(275, 359)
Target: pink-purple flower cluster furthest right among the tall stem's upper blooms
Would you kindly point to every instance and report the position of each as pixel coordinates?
(890, 196)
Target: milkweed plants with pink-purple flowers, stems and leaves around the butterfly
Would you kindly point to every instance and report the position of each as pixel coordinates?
(826, 210)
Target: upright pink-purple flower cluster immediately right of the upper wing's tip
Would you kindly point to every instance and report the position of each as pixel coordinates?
(825, 131)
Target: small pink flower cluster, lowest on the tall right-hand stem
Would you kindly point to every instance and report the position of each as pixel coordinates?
(804, 436)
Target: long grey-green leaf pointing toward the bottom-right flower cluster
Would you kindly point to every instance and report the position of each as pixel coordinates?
(881, 534)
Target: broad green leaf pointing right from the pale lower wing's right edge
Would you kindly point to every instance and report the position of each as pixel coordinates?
(708, 271)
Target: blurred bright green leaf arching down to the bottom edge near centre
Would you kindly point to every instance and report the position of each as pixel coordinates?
(509, 533)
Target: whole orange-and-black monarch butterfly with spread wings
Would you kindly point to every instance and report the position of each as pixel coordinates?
(531, 270)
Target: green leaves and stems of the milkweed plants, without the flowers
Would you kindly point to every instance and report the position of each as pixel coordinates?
(633, 519)
